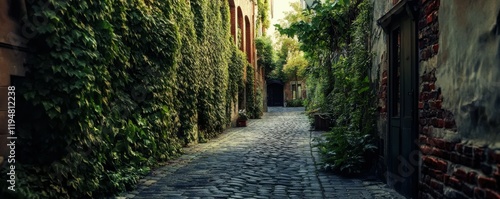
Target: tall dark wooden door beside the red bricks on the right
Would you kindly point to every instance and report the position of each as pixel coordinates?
(402, 148)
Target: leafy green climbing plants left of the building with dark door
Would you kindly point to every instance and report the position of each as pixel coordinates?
(335, 37)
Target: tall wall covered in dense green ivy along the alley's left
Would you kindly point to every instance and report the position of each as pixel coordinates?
(116, 86)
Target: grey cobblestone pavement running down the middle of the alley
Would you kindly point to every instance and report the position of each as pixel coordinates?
(270, 158)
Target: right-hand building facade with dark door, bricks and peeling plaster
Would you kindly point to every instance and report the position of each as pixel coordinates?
(439, 125)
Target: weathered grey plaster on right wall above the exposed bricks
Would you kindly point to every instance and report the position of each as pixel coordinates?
(469, 67)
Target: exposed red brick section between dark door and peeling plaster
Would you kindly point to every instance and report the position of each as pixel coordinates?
(450, 166)
